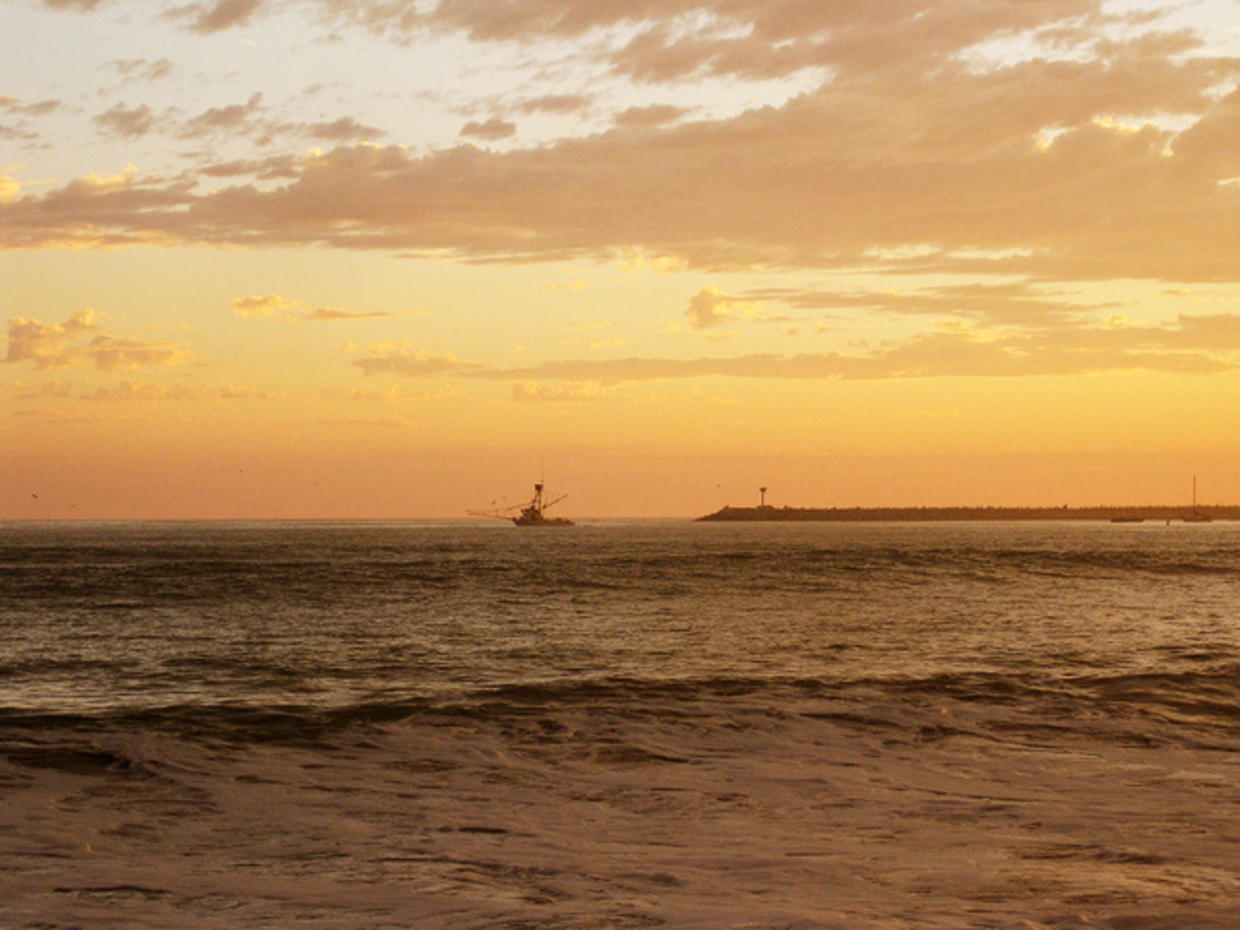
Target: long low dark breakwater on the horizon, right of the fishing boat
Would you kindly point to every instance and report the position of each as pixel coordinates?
(902, 515)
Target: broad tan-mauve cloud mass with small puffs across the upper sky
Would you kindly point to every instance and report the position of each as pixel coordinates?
(1109, 149)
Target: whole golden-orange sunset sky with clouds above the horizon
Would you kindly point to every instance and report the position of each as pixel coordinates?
(360, 259)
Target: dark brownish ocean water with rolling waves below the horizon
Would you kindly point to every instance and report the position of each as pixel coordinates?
(627, 725)
